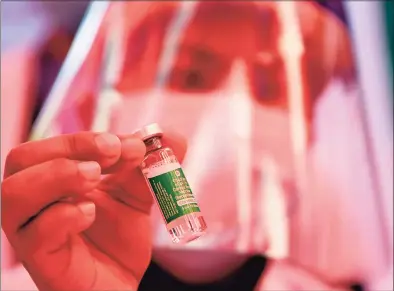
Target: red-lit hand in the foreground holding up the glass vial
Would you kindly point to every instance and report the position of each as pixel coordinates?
(76, 209)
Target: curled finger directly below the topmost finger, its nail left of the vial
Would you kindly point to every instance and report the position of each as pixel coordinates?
(26, 193)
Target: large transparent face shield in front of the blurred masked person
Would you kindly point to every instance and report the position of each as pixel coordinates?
(266, 95)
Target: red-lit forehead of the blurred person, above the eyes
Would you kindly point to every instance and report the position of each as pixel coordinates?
(233, 28)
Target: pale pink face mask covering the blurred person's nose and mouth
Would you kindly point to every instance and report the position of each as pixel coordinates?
(228, 135)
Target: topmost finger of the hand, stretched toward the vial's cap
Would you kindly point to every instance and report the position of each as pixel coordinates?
(105, 148)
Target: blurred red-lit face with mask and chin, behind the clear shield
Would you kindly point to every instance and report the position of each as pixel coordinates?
(227, 76)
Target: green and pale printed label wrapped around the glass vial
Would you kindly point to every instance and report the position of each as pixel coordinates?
(172, 191)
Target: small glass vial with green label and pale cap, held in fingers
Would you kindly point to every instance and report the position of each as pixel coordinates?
(169, 187)
